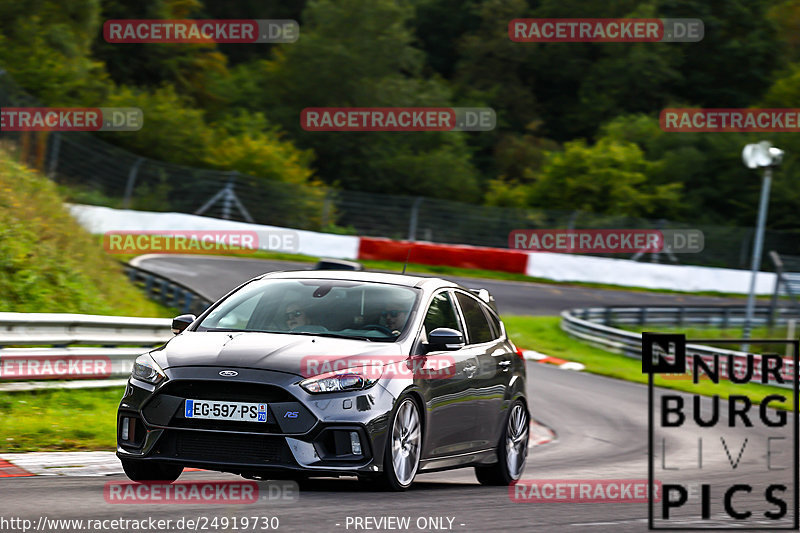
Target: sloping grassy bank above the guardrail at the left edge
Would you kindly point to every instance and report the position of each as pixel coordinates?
(48, 262)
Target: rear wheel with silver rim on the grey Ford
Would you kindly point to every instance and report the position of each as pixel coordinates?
(512, 451)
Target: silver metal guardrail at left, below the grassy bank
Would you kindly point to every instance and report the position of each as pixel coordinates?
(40, 346)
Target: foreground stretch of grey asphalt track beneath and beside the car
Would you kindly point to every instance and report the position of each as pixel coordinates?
(602, 434)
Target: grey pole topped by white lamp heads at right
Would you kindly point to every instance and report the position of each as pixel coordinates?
(761, 155)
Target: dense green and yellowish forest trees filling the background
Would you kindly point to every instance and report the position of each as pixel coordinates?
(577, 122)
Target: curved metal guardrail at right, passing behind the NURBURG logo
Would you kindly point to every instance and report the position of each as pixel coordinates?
(584, 324)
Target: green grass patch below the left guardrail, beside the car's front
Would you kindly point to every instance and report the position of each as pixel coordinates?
(59, 420)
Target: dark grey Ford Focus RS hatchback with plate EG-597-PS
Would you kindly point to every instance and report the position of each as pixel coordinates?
(313, 373)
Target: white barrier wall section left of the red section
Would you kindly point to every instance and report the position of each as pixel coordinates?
(100, 220)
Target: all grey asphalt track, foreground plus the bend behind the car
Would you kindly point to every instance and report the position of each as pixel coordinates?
(601, 427)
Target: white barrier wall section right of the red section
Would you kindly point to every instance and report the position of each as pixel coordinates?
(566, 267)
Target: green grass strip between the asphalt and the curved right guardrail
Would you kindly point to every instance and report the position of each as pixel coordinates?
(544, 334)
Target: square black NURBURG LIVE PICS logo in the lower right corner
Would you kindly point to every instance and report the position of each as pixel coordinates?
(747, 443)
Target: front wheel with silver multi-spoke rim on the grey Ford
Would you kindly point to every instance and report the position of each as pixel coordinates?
(403, 447)
